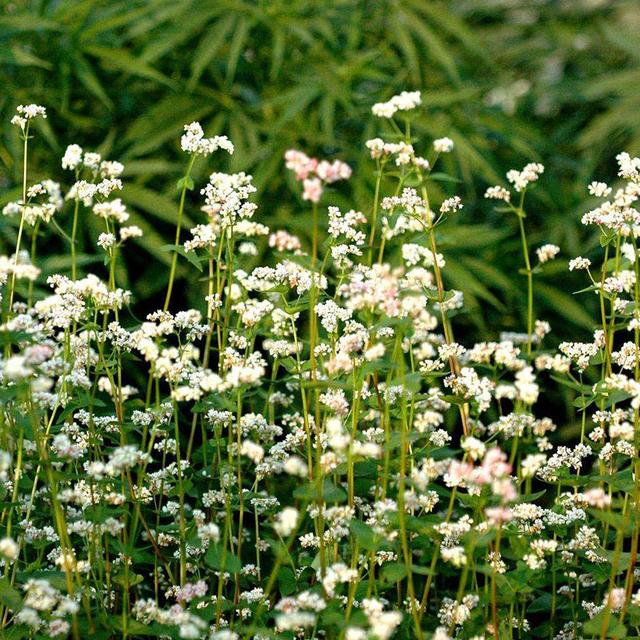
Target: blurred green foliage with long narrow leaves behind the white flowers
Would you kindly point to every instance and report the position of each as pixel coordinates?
(510, 81)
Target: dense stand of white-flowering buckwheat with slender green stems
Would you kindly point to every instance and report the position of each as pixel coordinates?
(314, 451)
